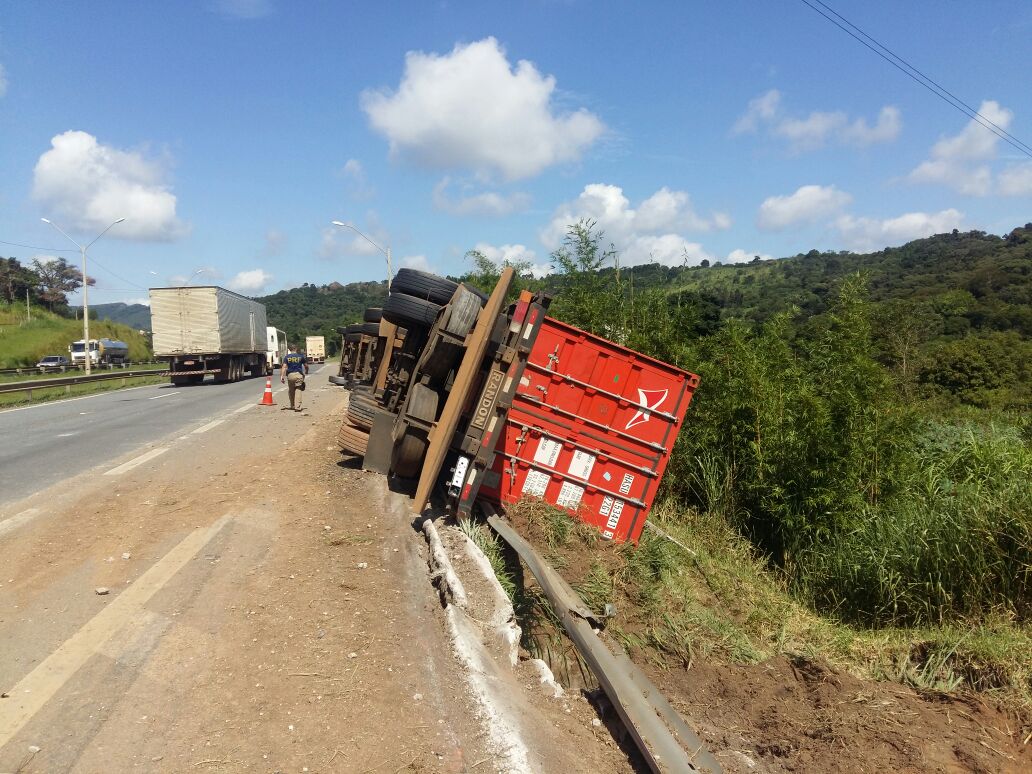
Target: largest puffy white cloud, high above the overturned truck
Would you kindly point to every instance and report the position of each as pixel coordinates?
(471, 110)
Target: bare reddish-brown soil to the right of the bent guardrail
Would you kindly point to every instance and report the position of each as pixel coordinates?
(797, 716)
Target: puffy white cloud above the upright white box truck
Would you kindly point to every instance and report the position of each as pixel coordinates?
(86, 186)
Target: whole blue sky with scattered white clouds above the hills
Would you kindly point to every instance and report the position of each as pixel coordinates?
(230, 134)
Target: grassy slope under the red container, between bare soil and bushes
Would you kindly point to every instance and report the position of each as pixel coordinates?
(701, 593)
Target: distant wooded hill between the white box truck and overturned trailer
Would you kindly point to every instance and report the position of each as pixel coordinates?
(315, 310)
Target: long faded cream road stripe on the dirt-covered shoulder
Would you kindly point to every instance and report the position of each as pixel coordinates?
(37, 689)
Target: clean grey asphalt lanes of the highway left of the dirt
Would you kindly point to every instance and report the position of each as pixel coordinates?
(45, 444)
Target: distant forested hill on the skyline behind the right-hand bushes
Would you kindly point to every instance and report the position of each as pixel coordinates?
(973, 281)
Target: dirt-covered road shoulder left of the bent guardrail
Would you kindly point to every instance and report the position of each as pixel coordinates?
(304, 636)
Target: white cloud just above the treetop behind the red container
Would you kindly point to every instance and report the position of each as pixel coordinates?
(651, 233)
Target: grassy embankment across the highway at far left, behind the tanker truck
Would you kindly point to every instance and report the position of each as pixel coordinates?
(24, 343)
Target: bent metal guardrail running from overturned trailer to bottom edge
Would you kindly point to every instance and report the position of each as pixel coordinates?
(667, 744)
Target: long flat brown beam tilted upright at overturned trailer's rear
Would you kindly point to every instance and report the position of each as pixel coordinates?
(476, 345)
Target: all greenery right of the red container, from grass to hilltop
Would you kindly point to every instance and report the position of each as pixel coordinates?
(855, 485)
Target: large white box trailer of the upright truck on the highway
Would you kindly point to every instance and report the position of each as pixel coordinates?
(207, 330)
